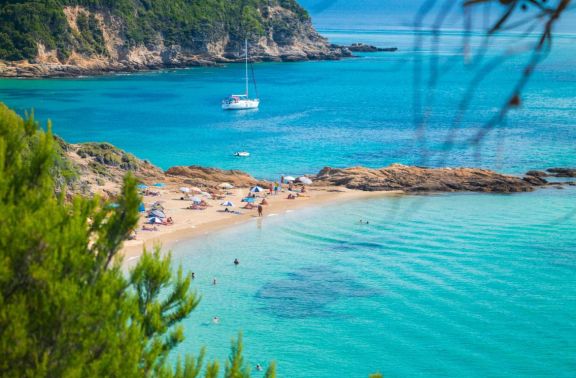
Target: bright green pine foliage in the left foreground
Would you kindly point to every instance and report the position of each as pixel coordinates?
(66, 307)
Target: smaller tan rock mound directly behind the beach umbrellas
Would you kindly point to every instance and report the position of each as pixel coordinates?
(212, 177)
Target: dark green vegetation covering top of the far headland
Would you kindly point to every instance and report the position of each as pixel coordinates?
(190, 24)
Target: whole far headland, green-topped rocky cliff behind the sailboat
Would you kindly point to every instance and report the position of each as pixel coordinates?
(87, 37)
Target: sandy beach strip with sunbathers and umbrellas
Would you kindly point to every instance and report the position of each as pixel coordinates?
(191, 223)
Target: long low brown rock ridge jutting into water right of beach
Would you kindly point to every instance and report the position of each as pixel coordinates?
(418, 180)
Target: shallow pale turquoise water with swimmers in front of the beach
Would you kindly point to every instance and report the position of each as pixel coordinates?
(447, 285)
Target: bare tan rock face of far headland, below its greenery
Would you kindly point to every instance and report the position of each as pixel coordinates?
(287, 37)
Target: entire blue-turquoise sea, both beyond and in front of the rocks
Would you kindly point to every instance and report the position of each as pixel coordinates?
(444, 285)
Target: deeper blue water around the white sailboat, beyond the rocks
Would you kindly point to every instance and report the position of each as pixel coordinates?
(314, 114)
